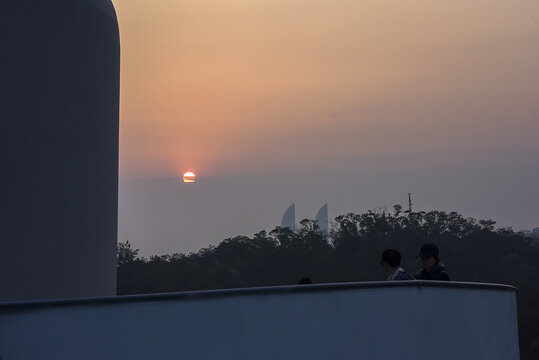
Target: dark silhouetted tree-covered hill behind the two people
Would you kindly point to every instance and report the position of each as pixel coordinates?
(473, 251)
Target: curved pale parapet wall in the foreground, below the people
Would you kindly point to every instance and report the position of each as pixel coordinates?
(316, 322)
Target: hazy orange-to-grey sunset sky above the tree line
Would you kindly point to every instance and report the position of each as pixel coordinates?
(347, 101)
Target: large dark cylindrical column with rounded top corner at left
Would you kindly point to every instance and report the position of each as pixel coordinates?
(59, 96)
